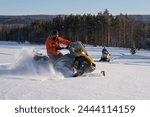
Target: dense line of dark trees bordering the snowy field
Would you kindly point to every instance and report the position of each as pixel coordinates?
(102, 29)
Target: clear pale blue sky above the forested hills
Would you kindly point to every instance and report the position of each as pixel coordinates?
(51, 7)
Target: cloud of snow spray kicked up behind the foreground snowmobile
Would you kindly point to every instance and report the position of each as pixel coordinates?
(25, 67)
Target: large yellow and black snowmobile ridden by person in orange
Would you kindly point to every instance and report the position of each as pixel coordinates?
(77, 60)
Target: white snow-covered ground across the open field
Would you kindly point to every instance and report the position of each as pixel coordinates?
(127, 76)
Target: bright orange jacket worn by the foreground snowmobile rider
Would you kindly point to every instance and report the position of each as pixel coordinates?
(51, 44)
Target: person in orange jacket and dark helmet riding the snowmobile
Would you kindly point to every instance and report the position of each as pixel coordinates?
(53, 45)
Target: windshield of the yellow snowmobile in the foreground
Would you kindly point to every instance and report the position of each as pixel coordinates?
(77, 46)
